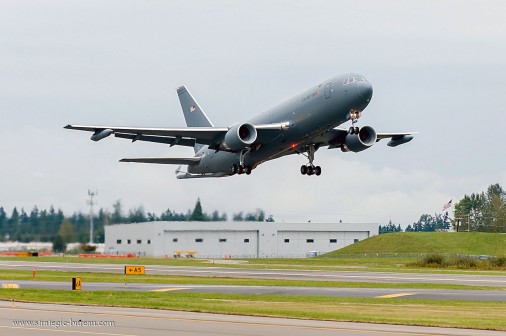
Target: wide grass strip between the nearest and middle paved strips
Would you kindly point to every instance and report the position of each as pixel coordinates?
(462, 314)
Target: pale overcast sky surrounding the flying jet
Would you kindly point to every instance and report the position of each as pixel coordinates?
(437, 67)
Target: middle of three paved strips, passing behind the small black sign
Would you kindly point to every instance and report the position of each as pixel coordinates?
(435, 294)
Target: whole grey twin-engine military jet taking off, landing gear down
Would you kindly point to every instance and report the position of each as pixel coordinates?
(301, 124)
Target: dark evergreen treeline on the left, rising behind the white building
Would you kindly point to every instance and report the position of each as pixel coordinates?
(48, 225)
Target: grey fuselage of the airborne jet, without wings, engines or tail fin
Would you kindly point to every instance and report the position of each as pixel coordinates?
(310, 114)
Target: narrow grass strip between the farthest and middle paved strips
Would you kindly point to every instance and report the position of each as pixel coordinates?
(13, 275)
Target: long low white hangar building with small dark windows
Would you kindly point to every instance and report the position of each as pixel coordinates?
(234, 239)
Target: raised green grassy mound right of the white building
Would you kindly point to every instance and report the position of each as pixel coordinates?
(471, 243)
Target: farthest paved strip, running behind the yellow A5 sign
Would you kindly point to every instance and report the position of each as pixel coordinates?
(311, 275)
